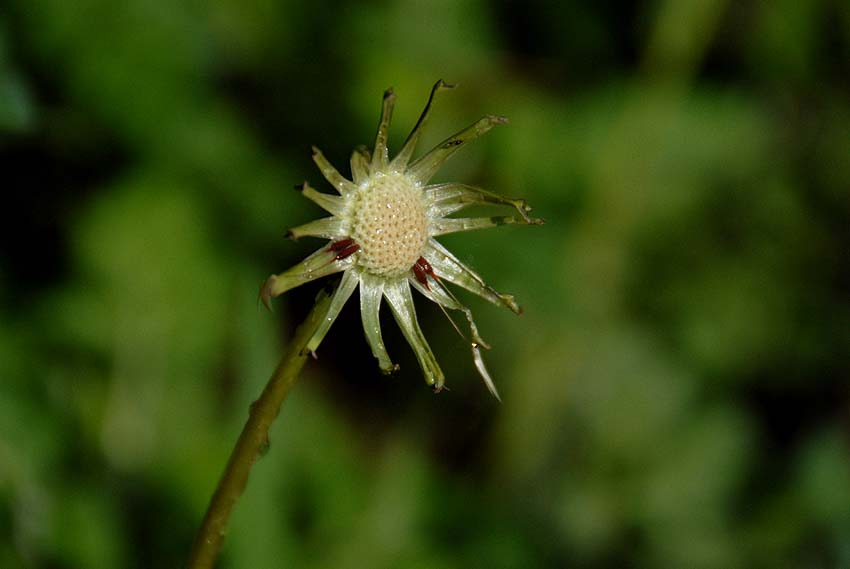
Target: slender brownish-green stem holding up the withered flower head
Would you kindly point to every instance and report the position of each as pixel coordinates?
(253, 441)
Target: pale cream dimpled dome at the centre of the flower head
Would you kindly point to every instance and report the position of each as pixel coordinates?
(389, 223)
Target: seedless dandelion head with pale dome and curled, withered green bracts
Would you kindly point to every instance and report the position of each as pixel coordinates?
(382, 231)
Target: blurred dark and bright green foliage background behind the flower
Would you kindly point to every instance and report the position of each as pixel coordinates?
(675, 395)
